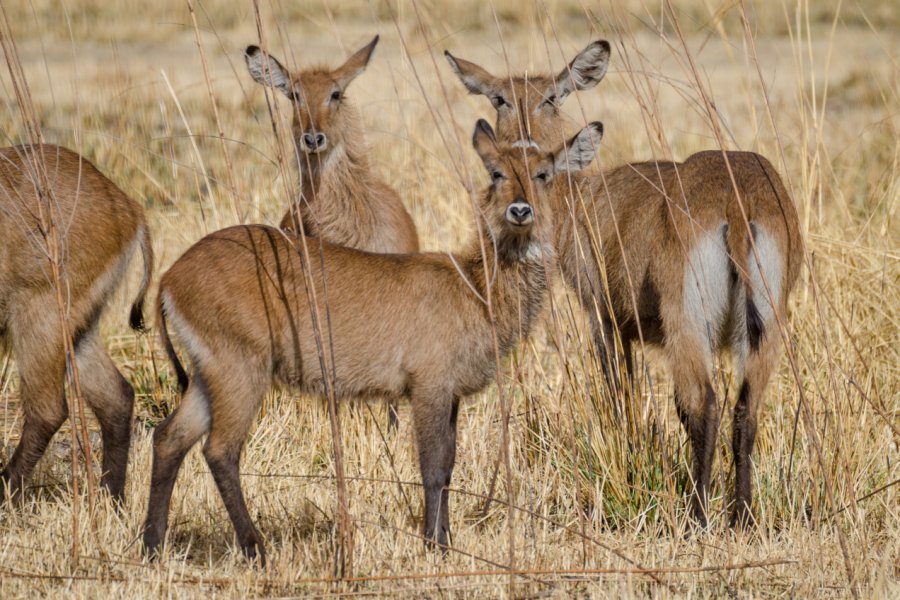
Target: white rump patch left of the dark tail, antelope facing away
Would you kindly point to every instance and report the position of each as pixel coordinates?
(707, 286)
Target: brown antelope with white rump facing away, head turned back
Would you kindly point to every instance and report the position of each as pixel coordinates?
(676, 254)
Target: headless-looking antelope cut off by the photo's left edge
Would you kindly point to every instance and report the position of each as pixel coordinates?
(100, 228)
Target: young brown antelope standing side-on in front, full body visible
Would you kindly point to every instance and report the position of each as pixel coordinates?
(413, 325)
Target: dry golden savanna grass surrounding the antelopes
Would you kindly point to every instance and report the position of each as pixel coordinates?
(157, 95)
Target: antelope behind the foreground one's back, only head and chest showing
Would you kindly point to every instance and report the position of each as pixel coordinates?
(341, 200)
